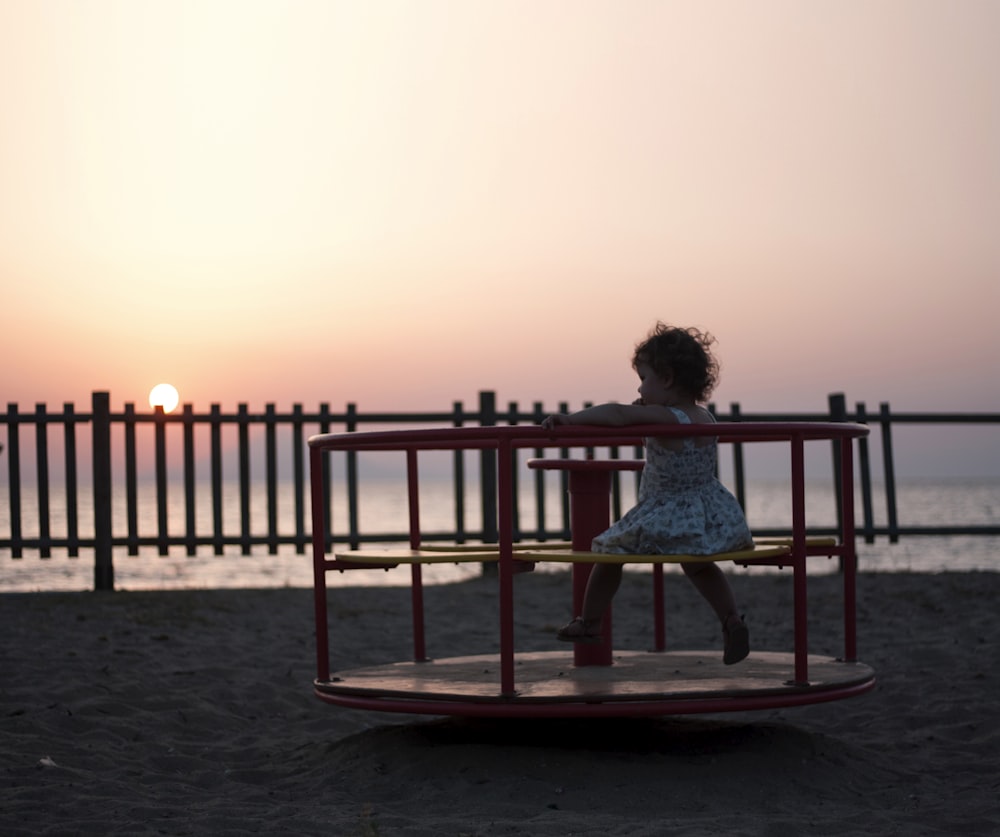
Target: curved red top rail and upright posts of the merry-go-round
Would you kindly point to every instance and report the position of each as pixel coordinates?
(507, 440)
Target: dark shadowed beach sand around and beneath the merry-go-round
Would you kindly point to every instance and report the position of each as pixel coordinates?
(192, 713)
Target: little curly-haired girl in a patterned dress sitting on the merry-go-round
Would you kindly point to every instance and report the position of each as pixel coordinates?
(682, 508)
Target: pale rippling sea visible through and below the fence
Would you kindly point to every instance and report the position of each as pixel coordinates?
(383, 505)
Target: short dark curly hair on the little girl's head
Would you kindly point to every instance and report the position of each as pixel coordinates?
(684, 352)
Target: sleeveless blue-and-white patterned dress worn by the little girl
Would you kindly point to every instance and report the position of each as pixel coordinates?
(682, 508)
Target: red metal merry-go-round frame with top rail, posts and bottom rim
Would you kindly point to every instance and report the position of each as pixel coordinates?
(506, 440)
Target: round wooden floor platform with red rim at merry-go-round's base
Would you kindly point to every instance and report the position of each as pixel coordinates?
(637, 683)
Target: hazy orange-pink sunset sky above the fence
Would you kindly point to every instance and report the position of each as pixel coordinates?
(402, 203)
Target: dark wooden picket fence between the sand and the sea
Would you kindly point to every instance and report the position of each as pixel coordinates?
(114, 453)
